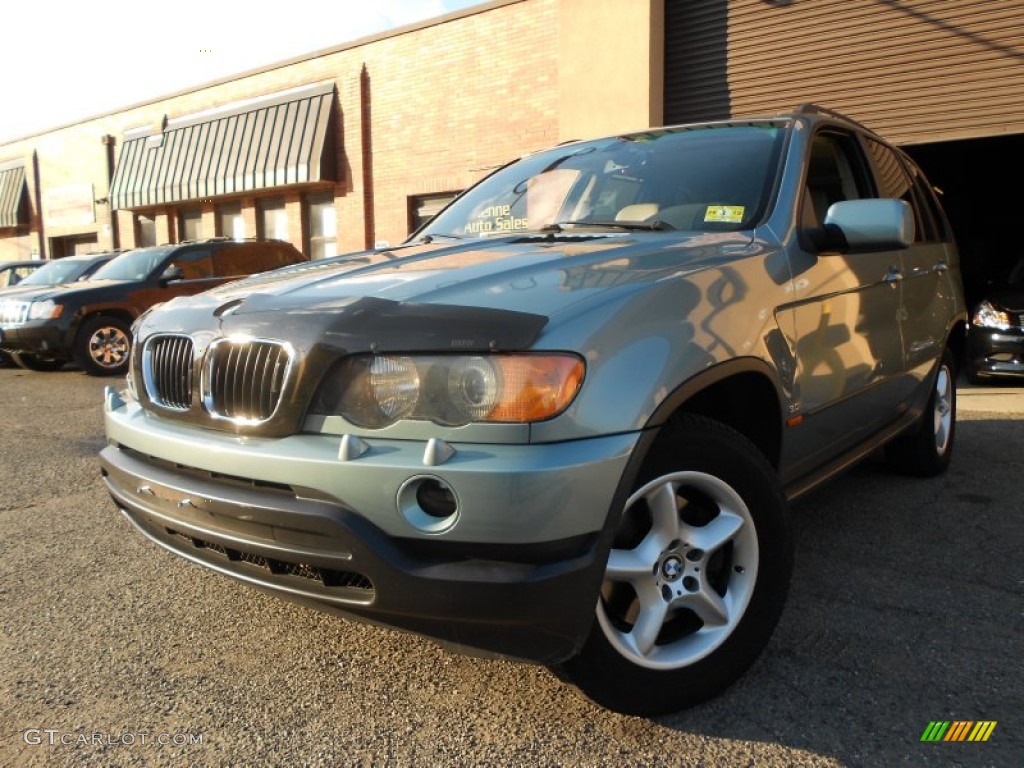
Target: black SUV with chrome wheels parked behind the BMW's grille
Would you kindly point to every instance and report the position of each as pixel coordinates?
(90, 323)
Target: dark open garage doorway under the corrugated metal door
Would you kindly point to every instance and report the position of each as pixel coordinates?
(984, 202)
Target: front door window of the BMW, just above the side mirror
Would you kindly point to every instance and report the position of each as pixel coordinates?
(836, 173)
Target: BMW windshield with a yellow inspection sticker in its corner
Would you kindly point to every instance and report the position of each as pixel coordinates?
(710, 178)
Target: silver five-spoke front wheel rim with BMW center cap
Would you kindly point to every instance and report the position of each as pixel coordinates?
(674, 596)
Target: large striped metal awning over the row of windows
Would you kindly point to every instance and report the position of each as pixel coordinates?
(262, 144)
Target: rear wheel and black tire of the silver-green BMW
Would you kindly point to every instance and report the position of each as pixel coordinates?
(925, 451)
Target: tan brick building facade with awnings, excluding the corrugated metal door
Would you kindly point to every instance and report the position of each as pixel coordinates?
(336, 151)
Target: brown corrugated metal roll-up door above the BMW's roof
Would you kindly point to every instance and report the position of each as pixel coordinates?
(915, 71)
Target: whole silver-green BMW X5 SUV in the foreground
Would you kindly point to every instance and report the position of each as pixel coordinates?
(564, 421)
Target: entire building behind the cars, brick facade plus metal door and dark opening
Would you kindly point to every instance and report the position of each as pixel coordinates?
(352, 147)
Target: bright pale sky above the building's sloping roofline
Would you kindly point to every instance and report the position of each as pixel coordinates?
(64, 62)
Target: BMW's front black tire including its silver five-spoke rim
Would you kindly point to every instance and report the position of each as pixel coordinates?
(710, 517)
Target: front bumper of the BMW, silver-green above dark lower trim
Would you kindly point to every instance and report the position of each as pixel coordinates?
(517, 575)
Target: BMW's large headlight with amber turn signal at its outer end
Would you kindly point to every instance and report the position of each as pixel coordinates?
(375, 392)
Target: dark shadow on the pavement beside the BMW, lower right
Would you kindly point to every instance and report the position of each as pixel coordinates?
(906, 609)
